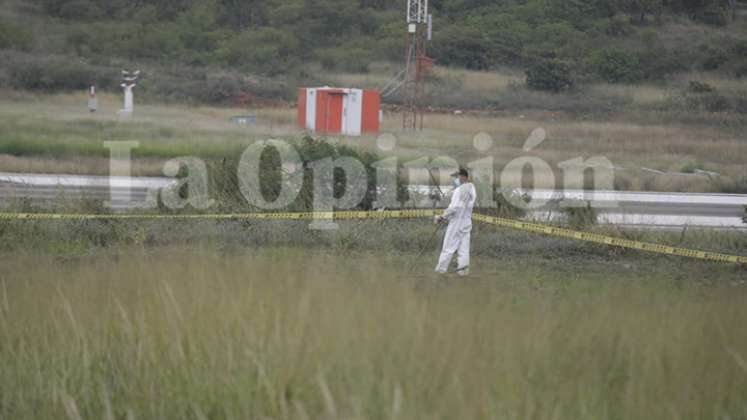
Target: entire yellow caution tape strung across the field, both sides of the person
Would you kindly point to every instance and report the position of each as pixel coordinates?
(401, 214)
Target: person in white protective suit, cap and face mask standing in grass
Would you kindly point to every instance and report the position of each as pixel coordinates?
(459, 232)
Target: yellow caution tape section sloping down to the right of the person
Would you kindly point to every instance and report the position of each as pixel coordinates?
(608, 240)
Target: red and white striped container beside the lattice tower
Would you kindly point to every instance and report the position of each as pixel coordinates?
(349, 112)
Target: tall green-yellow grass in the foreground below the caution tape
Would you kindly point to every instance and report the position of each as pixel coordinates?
(197, 333)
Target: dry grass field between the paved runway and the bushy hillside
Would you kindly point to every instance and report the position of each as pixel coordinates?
(43, 133)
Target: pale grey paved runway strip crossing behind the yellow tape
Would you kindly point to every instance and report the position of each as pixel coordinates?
(613, 207)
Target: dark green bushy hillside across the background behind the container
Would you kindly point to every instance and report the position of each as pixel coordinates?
(228, 50)
